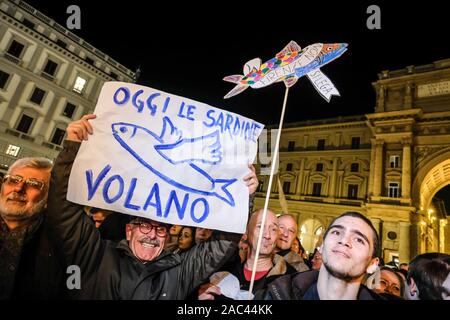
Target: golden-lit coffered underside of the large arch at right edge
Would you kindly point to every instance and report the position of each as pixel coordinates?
(430, 178)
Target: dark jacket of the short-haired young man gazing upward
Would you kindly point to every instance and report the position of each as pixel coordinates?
(294, 287)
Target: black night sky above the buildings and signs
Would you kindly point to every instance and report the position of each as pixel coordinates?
(186, 49)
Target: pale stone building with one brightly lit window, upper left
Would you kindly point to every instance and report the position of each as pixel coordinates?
(48, 78)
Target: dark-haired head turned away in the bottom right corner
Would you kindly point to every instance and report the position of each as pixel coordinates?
(426, 275)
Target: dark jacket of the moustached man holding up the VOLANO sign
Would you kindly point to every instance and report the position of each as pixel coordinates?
(110, 270)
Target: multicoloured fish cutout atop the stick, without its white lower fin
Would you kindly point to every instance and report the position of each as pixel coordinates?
(284, 66)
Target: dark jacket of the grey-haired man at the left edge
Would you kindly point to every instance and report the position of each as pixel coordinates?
(29, 266)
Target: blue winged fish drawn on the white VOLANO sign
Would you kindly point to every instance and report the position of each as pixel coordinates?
(169, 154)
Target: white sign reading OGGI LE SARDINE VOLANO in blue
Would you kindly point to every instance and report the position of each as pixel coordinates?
(166, 158)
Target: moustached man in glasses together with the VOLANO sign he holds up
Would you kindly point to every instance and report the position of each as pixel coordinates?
(167, 160)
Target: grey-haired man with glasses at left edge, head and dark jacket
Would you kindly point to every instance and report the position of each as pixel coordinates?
(28, 267)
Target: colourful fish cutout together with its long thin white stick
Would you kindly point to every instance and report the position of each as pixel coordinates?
(288, 65)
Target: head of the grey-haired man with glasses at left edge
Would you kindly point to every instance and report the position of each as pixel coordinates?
(24, 190)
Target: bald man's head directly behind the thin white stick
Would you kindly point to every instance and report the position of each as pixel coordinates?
(270, 233)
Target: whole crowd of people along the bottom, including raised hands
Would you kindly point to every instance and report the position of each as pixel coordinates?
(128, 257)
